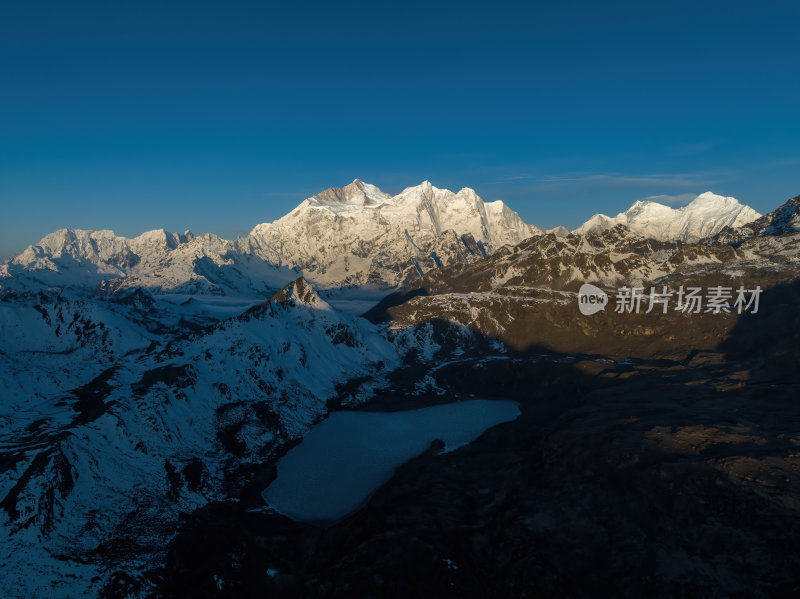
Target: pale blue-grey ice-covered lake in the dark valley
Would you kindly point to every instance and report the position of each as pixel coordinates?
(346, 457)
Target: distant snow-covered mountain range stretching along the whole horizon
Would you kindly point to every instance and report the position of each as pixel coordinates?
(355, 236)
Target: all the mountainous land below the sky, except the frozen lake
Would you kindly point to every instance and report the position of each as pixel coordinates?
(151, 384)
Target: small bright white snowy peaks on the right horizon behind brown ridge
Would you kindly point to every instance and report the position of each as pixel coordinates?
(704, 216)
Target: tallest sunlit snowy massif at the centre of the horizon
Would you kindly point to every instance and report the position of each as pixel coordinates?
(359, 235)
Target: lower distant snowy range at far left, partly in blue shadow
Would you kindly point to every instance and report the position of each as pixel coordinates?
(105, 263)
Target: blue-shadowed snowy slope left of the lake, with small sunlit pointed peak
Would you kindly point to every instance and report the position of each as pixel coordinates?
(109, 432)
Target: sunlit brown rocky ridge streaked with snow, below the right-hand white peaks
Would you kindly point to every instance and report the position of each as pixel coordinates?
(526, 295)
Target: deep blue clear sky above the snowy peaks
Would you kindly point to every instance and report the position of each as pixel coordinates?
(217, 116)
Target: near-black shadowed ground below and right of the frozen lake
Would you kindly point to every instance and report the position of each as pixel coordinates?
(647, 477)
